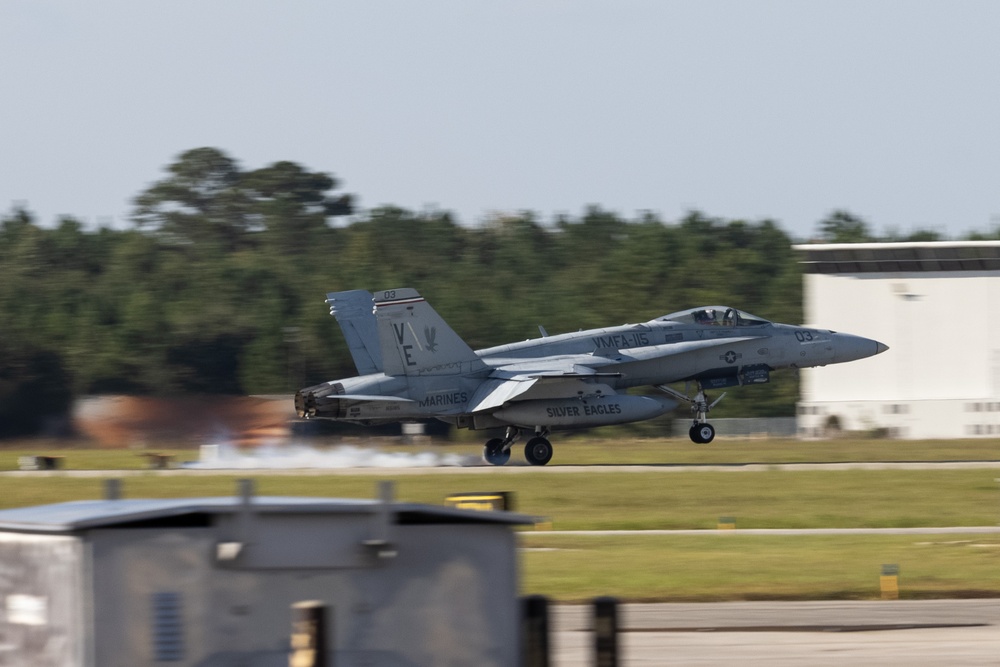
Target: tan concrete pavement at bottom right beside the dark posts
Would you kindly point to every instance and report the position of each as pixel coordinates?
(918, 633)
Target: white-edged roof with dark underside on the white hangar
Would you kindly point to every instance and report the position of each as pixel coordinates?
(900, 257)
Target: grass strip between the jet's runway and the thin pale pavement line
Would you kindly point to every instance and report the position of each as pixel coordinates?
(621, 500)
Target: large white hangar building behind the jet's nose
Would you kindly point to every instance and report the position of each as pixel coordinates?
(937, 306)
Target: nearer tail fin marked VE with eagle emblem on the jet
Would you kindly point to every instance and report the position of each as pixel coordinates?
(416, 341)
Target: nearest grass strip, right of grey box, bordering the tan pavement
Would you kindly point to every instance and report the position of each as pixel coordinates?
(730, 566)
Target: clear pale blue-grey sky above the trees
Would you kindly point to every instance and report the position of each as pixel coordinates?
(740, 109)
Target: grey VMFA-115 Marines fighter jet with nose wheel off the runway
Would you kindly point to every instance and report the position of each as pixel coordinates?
(413, 366)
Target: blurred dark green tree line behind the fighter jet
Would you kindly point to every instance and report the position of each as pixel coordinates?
(218, 286)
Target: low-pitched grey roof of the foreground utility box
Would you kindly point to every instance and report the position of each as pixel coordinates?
(75, 516)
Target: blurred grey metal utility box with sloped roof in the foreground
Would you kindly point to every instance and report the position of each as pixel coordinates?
(211, 581)
